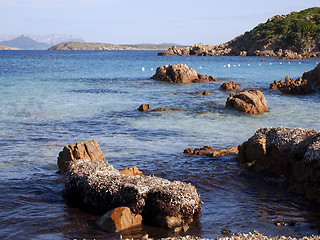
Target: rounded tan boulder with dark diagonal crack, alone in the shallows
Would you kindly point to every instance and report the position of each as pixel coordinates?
(252, 102)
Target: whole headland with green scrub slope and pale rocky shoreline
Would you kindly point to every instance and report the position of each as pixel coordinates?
(295, 35)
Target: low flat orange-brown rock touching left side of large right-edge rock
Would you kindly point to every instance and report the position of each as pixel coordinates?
(211, 151)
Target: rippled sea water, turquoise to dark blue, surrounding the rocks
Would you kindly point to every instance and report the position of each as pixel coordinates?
(49, 99)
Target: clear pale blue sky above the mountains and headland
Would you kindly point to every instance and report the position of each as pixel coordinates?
(143, 21)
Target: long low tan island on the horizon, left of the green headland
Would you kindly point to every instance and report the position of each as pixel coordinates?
(107, 46)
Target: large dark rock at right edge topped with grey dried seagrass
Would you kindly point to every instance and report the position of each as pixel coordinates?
(292, 153)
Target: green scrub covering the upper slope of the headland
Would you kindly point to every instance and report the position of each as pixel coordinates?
(296, 28)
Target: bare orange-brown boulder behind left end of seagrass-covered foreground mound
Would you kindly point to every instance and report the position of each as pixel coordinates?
(81, 150)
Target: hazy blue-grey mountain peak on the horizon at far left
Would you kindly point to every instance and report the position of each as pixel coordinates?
(26, 43)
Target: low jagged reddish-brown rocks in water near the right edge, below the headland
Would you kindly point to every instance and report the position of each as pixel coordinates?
(291, 86)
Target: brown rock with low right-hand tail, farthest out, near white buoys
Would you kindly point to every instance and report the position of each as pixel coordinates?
(180, 73)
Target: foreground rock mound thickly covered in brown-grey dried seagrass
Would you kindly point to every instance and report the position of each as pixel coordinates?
(98, 185)
